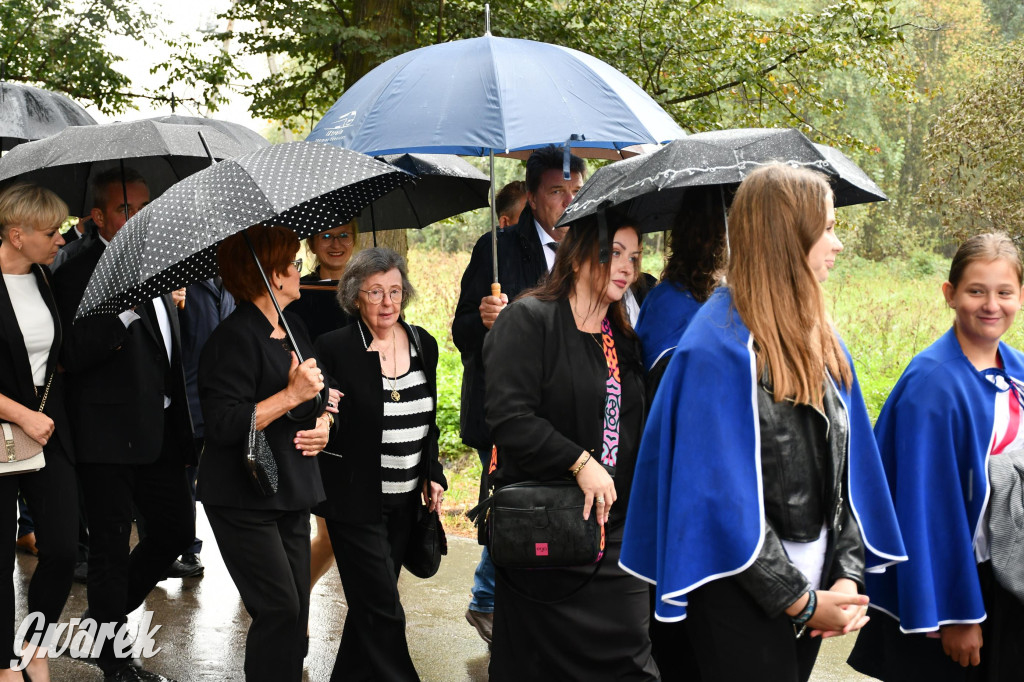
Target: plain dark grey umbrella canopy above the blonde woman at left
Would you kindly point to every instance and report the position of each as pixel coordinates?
(162, 153)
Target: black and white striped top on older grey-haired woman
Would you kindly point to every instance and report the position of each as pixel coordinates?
(406, 427)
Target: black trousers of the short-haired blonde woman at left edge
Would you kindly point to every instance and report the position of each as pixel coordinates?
(53, 495)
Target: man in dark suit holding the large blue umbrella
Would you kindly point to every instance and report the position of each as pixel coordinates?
(526, 253)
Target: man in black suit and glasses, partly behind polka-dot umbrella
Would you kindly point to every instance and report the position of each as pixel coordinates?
(133, 432)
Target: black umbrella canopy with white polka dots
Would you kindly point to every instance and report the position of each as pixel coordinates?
(306, 187)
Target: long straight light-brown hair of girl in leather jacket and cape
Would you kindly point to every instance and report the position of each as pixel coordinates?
(778, 216)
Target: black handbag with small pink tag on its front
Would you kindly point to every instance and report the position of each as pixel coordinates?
(535, 525)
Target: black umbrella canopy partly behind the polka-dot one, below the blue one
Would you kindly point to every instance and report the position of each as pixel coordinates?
(445, 186)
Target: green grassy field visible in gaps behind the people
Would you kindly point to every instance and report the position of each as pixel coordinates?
(886, 313)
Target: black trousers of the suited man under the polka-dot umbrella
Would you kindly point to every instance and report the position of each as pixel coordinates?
(120, 578)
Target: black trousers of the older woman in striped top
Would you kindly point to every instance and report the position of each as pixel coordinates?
(369, 557)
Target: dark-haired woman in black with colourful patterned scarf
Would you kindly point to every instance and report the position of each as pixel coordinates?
(548, 364)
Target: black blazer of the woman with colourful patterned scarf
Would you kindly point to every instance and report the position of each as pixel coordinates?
(546, 395)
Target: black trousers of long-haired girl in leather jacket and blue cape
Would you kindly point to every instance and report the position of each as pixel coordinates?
(736, 642)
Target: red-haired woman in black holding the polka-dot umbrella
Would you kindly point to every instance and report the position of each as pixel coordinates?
(249, 378)
